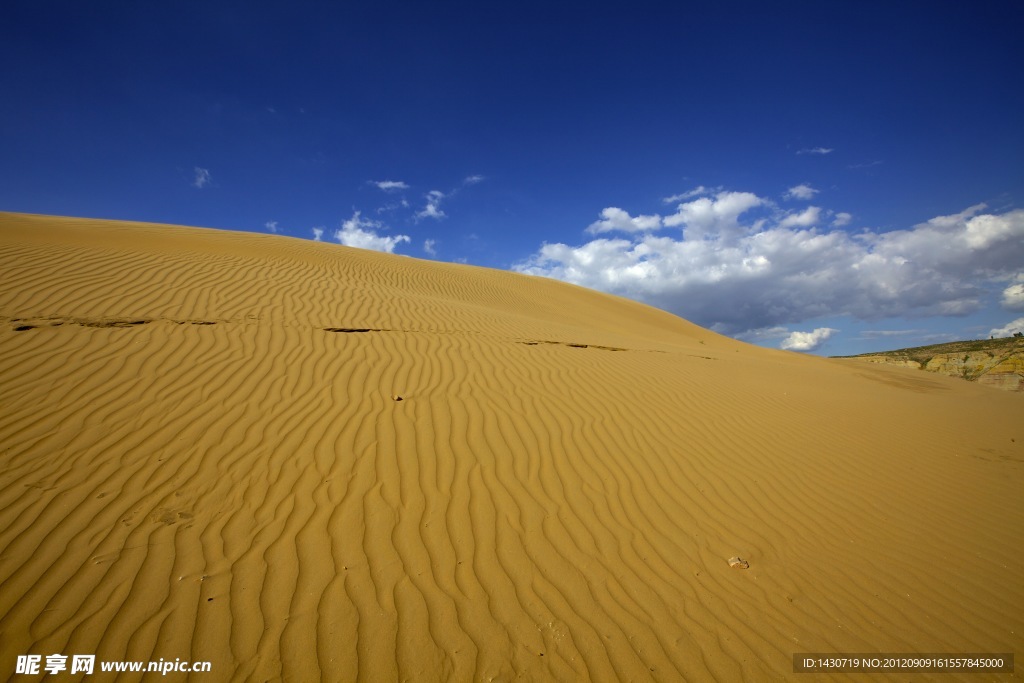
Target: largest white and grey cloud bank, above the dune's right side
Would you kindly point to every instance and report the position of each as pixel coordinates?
(735, 269)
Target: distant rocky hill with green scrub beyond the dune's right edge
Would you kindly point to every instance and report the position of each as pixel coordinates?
(997, 363)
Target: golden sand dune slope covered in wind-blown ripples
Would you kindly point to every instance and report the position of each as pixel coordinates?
(193, 466)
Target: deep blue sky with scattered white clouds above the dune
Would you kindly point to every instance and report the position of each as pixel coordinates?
(835, 178)
